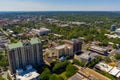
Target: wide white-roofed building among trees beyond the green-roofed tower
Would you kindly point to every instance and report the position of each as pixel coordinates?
(42, 31)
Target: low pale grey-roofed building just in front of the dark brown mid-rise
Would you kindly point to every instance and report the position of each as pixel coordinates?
(86, 57)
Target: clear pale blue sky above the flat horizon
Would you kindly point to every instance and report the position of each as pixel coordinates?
(59, 5)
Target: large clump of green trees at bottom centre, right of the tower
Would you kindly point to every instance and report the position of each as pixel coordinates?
(57, 69)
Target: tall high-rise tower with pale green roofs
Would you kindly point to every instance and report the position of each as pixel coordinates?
(23, 54)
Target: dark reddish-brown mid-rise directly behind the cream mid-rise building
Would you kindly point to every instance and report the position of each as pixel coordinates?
(75, 43)
